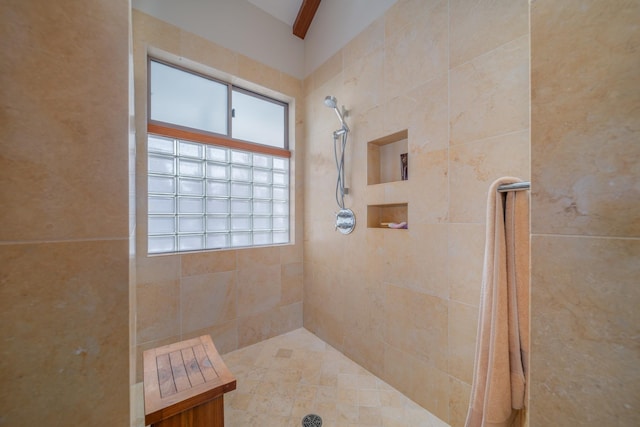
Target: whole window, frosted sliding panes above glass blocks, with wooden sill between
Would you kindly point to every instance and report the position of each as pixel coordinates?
(218, 164)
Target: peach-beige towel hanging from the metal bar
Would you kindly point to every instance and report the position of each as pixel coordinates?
(498, 393)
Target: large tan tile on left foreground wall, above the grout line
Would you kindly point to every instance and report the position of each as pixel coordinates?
(59, 167)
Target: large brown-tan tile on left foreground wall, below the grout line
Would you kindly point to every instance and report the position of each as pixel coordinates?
(64, 311)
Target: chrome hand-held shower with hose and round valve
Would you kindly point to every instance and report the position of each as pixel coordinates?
(345, 218)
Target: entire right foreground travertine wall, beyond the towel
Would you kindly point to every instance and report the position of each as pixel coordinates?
(585, 257)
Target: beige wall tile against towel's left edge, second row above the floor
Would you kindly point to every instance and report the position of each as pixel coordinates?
(463, 327)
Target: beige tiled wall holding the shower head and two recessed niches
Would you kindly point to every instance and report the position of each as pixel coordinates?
(404, 303)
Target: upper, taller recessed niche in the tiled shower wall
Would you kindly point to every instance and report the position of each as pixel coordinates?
(383, 158)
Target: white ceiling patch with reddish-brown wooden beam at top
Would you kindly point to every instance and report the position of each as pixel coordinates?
(297, 14)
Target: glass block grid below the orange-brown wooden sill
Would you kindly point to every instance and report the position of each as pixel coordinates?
(202, 196)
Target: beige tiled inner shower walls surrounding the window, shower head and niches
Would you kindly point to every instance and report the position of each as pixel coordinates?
(401, 303)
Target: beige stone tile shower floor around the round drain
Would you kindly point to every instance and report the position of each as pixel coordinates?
(282, 379)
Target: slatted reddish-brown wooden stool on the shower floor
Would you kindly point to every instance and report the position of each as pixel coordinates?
(184, 384)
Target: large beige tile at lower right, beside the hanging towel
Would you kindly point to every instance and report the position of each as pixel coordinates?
(583, 323)
